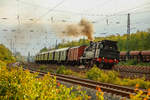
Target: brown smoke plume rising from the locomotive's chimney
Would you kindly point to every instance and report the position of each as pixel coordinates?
(83, 28)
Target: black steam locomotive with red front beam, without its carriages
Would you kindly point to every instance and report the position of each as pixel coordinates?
(102, 53)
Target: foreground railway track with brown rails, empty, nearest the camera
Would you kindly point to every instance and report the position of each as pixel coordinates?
(105, 87)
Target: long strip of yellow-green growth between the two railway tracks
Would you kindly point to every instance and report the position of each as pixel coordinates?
(102, 76)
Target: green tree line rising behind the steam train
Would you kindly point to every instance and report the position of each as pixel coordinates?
(139, 40)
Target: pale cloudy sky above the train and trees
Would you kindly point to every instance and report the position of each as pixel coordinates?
(27, 25)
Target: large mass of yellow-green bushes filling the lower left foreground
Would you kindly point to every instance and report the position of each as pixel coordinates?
(17, 84)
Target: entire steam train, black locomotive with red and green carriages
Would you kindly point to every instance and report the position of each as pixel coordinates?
(102, 53)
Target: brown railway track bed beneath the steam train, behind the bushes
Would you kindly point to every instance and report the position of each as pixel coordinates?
(131, 72)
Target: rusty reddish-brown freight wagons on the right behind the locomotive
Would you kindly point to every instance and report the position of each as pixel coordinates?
(139, 56)
